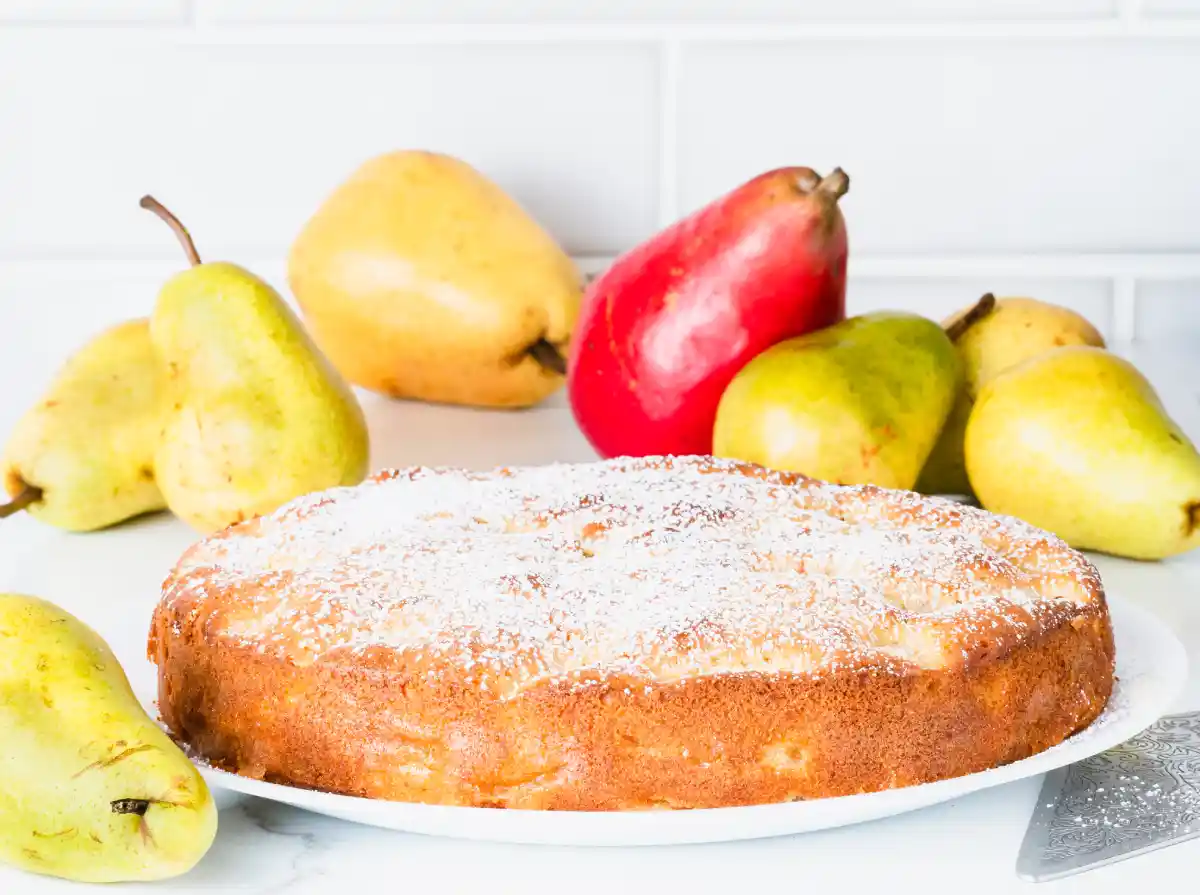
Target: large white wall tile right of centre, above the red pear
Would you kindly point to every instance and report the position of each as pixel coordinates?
(962, 146)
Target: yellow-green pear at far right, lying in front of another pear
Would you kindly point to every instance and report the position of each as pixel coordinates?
(1077, 442)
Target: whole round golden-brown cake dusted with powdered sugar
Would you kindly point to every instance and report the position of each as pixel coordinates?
(622, 635)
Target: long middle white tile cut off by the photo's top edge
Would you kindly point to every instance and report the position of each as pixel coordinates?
(692, 11)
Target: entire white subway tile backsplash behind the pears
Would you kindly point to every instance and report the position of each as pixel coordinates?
(1048, 142)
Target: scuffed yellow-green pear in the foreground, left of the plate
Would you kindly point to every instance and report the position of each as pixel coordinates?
(91, 788)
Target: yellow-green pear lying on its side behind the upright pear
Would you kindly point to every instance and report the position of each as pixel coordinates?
(82, 459)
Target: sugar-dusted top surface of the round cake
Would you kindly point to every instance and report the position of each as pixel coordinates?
(657, 568)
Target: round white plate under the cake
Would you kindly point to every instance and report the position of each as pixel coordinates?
(1151, 669)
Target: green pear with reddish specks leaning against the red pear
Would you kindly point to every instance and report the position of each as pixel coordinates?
(859, 403)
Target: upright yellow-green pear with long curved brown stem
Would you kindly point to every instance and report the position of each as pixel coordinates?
(255, 415)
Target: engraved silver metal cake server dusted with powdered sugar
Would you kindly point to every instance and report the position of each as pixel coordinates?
(1132, 800)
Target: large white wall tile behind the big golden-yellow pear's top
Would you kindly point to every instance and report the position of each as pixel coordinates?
(244, 142)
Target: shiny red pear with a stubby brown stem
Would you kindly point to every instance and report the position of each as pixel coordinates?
(664, 331)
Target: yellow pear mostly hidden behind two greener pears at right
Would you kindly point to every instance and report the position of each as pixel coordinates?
(992, 337)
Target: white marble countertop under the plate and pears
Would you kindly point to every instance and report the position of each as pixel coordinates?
(111, 580)
